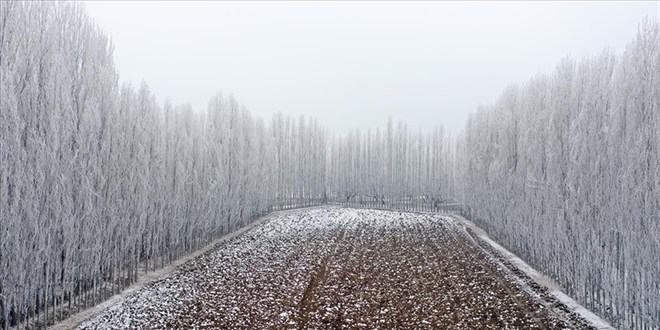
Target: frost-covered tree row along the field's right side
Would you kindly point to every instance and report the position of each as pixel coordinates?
(564, 170)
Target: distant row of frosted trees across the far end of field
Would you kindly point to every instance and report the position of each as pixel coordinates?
(394, 168)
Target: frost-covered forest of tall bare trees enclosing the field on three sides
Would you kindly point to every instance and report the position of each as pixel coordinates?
(99, 182)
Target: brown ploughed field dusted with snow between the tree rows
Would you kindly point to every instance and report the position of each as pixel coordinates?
(335, 267)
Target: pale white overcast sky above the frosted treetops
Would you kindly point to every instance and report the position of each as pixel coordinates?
(354, 64)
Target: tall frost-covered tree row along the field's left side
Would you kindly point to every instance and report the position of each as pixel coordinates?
(99, 182)
